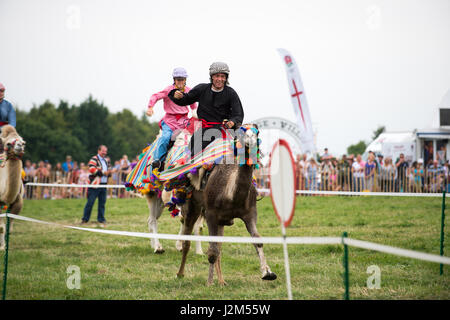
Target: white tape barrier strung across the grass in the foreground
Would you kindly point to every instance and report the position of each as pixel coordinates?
(267, 240)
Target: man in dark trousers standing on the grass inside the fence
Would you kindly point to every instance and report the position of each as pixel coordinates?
(99, 169)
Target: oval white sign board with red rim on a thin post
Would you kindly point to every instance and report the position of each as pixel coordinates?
(282, 181)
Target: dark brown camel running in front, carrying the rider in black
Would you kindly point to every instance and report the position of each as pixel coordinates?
(229, 193)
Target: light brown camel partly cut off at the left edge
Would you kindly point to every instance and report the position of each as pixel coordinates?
(11, 187)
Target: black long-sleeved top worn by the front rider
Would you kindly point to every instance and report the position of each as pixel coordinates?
(213, 106)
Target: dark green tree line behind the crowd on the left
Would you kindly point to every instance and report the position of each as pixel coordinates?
(51, 132)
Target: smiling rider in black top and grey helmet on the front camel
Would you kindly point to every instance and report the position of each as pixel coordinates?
(219, 105)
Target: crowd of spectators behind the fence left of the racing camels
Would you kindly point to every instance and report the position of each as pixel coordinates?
(70, 172)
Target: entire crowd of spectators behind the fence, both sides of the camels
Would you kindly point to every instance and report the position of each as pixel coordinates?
(324, 173)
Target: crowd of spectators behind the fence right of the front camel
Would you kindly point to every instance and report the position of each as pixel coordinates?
(376, 174)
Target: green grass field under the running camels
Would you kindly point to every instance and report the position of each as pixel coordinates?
(118, 267)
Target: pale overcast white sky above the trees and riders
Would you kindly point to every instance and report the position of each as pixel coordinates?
(363, 63)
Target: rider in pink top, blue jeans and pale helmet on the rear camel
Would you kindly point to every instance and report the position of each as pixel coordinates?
(176, 117)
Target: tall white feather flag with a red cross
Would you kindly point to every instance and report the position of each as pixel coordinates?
(299, 102)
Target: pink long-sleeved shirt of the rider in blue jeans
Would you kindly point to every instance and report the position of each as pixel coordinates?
(176, 116)
